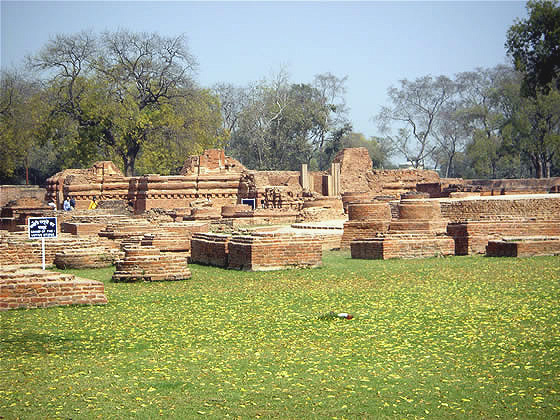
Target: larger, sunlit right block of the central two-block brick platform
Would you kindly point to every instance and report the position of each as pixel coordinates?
(274, 251)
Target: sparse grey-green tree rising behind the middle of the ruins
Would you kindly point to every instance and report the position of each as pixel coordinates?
(282, 125)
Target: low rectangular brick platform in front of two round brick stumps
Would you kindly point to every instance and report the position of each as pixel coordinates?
(402, 246)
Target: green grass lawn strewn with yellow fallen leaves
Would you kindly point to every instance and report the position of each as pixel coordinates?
(464, 337)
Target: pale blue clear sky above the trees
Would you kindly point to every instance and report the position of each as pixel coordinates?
(375, 44)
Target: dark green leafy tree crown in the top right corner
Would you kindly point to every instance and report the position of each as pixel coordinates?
(534, 45)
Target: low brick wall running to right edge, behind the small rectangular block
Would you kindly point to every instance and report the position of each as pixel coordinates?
(472, 237)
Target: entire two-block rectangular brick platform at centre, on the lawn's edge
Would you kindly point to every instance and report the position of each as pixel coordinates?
(259, 252)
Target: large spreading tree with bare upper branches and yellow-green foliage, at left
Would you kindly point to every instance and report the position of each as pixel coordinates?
(125, 92)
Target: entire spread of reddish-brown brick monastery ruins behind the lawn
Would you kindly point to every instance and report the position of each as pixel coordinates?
(217, 212)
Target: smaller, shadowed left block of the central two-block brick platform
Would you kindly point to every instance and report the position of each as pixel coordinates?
(210, 249)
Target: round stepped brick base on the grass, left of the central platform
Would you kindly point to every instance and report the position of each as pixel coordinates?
(146, 263)
